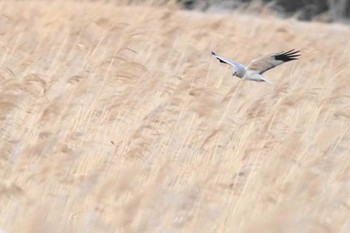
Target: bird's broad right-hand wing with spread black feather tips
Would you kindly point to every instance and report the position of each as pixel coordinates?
(266, 63)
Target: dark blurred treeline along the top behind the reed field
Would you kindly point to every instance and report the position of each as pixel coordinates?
(323, 10)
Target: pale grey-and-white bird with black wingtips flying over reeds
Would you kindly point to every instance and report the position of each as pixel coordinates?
(258, 66)
